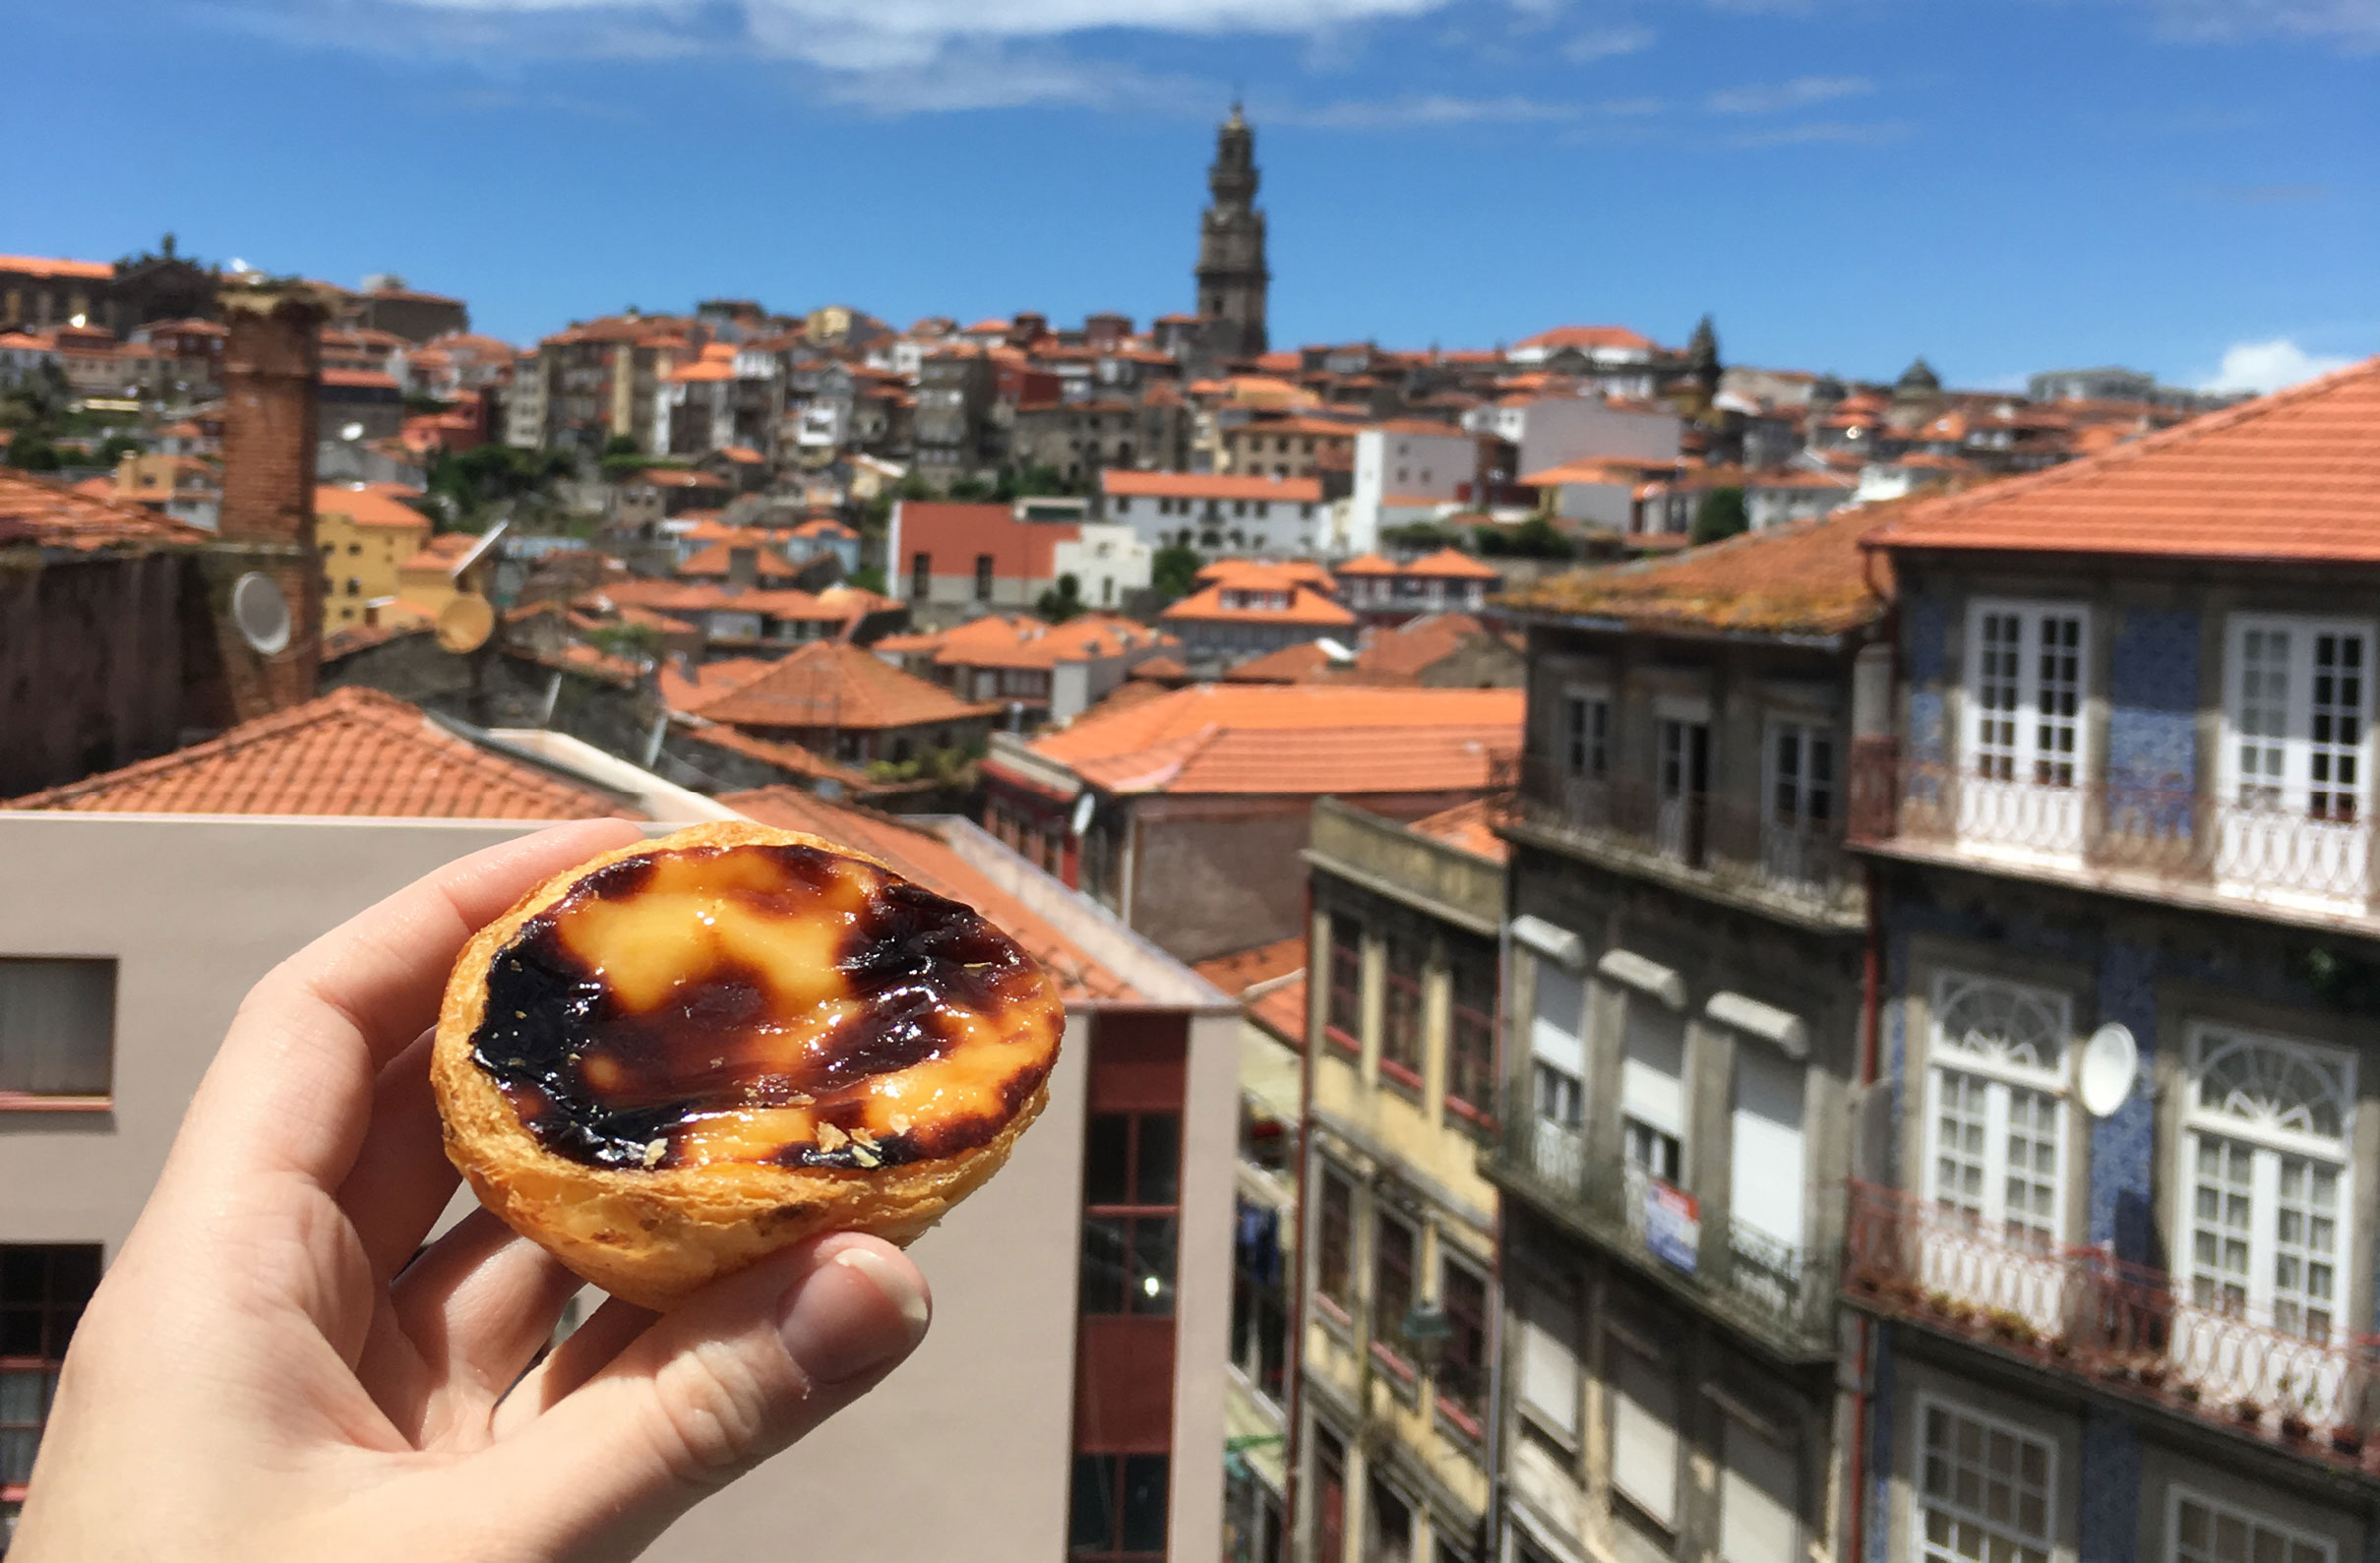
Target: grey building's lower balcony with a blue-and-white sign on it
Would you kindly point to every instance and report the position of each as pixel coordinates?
(1772, 1291)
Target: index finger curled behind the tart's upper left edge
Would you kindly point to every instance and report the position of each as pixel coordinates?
(292, 1086)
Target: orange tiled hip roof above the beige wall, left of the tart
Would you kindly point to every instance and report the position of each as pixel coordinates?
(353, 753)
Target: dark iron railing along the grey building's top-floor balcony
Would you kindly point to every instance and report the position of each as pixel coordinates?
(1698, 831)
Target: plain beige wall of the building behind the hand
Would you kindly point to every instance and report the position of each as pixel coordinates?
(963, 1455)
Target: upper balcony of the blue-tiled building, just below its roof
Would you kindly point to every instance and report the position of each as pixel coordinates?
(2300, 860)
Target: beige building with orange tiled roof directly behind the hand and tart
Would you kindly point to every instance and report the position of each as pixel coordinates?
(1070, 1400)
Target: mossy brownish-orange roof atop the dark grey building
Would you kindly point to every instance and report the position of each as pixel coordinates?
(1808, 579)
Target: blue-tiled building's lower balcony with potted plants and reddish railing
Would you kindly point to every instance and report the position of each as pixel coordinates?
(2122, 1326)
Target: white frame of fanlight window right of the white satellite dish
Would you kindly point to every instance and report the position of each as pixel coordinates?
(2269, 1145)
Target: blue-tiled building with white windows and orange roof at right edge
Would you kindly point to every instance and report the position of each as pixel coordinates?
(2117, 1257)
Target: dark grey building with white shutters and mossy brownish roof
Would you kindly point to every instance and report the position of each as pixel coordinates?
(1686, 1038)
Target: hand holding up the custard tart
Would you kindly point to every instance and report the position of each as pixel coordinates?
(273, 1374)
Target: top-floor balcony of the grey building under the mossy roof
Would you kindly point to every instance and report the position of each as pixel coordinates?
(1698, 841)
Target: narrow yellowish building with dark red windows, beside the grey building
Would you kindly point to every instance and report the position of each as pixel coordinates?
(1401, 1229)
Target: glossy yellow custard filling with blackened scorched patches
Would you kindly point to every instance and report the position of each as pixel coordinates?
(763, 1005)
